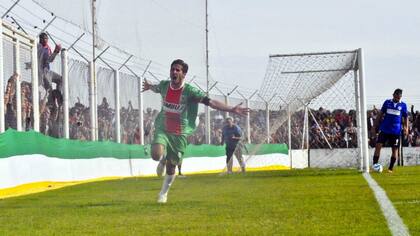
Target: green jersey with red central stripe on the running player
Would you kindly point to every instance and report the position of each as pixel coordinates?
(179, 108)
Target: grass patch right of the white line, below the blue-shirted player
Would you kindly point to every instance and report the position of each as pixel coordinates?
(403, 189)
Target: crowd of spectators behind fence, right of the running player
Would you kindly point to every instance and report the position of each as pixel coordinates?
(335, 129)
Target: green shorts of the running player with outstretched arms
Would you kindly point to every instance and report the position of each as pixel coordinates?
(175, 145)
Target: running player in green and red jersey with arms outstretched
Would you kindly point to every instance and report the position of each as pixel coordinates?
(176, 120)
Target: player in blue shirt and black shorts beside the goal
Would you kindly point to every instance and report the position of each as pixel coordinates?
(389, 121)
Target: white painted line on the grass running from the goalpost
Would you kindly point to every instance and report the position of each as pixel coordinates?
(394, 221)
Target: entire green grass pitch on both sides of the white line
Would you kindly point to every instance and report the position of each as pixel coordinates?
(297, 202)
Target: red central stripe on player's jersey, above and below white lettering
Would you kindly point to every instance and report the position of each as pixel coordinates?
(173, 120)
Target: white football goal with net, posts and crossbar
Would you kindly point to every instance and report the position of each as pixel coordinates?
(323, 95)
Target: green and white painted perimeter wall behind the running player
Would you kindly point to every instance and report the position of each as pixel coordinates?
(28, 157)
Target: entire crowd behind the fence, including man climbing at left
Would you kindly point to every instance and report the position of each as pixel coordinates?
(327, 129)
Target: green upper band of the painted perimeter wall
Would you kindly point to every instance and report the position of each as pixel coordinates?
(14, 143)
